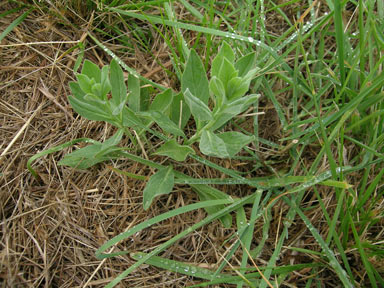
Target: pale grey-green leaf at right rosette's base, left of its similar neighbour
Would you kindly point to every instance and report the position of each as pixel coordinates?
(212, 145)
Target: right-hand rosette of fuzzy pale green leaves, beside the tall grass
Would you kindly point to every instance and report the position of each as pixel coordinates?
(227, 88)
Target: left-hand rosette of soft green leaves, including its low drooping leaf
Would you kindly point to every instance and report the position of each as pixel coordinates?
(102, 95)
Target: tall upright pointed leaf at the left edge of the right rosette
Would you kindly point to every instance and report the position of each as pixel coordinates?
(195, 78)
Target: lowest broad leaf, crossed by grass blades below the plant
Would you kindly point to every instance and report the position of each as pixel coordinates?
(206, 193)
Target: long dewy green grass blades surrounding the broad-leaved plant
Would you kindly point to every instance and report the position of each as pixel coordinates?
(333, 103)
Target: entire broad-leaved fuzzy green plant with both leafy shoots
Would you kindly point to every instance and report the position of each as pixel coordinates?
(102, 95)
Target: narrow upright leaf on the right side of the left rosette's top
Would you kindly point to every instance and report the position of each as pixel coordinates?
(118, 87)
